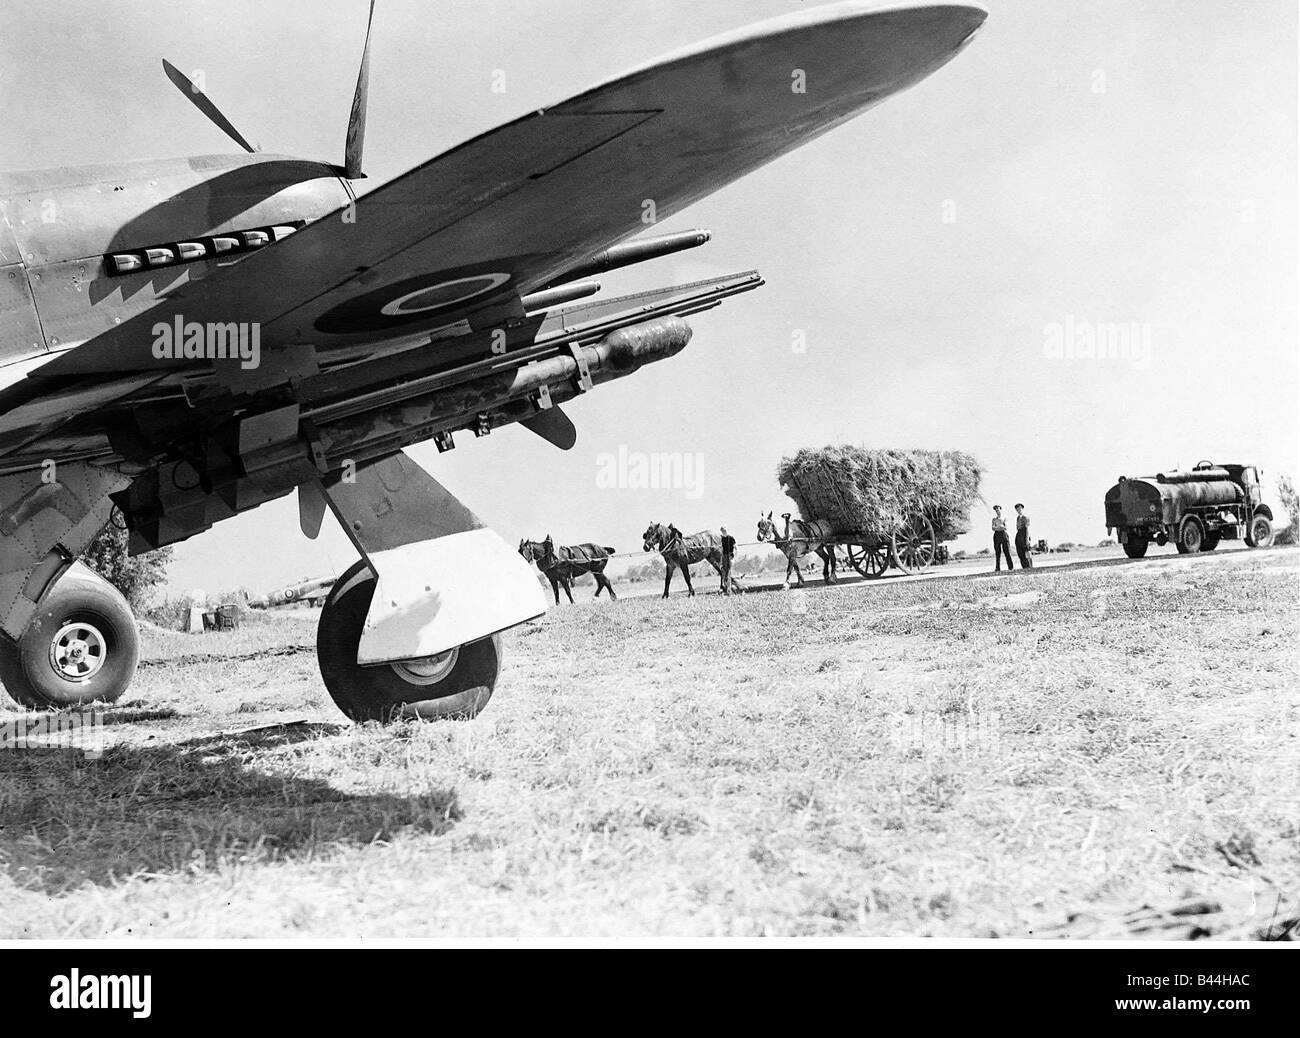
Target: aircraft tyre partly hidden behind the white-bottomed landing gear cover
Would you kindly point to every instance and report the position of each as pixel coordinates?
(453, 685)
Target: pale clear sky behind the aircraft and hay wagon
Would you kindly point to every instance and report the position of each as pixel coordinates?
(1113, 163)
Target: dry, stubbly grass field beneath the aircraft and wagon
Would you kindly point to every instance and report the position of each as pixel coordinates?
(1091, 752)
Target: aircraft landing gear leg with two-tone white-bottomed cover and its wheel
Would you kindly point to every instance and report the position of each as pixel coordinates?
(411, 632)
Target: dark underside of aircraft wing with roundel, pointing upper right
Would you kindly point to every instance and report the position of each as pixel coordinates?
(466, 235)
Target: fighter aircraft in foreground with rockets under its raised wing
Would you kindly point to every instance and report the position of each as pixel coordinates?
(184, 340)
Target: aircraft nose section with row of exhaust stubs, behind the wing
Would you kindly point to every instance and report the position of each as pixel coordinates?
(84, 249)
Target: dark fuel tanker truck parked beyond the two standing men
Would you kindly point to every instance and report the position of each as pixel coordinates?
(1195, 511)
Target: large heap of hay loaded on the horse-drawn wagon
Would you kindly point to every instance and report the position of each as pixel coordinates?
(860, 490)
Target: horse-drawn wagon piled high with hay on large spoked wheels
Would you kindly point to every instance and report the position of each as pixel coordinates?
(885, 509)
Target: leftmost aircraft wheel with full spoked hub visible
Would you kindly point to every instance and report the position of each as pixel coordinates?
(81, 647)
